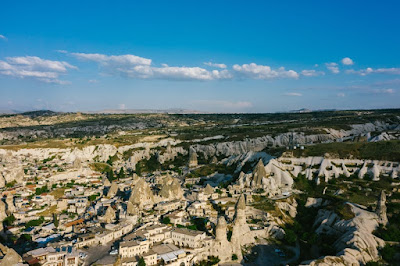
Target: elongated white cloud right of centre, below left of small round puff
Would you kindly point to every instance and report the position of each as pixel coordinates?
(263, 72)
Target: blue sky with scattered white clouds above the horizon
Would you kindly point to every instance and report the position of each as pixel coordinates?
(217, 56)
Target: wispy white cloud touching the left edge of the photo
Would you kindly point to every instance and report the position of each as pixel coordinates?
(34, 67)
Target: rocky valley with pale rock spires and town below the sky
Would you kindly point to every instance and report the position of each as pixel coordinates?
(315, 188)
